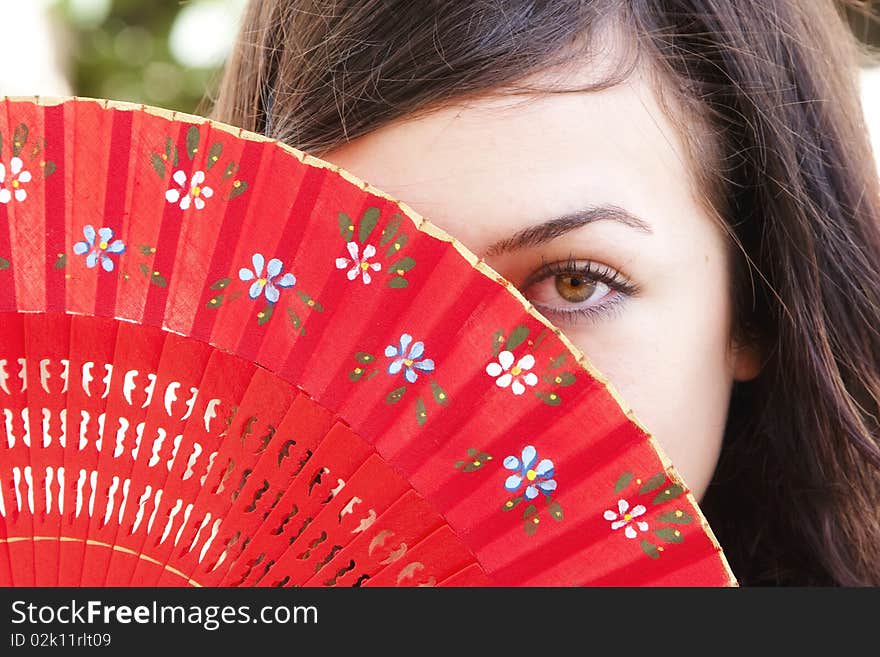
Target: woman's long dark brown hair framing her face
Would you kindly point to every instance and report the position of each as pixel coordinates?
(783, 160)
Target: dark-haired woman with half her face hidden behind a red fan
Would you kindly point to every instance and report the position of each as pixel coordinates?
(684, 187)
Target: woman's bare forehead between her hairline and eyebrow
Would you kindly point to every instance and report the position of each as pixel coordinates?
(478, 165)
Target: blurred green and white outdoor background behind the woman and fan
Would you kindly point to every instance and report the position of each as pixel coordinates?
(159, 52)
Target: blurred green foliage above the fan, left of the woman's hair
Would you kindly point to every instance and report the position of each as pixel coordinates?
(126, 56)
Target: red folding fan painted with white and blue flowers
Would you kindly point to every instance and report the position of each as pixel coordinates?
(226, 362)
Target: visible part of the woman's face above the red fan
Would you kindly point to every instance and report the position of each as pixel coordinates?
(634, 271)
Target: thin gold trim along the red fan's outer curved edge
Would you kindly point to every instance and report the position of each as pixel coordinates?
(424, 225)
